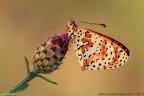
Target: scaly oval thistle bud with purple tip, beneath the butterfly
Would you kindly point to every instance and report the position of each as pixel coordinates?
(49, 55)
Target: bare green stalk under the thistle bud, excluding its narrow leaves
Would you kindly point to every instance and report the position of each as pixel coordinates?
(24, 81)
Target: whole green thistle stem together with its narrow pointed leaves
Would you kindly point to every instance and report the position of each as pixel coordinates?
(23, 84)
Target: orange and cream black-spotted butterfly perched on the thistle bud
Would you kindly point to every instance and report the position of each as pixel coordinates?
(94, 50)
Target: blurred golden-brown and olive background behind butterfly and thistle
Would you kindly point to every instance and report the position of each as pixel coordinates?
(24, 24)
